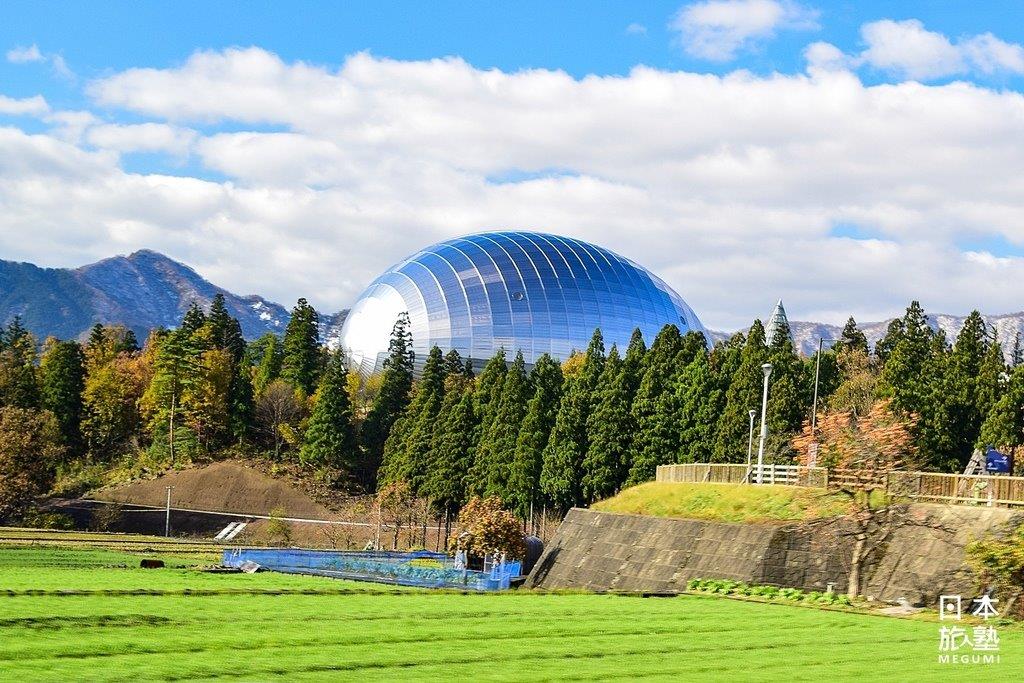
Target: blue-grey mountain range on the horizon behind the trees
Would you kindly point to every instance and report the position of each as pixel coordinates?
(147, 290)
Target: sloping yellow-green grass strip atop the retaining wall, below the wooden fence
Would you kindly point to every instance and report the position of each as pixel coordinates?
(727, 502)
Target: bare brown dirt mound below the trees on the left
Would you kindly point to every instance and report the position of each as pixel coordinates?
(224, 487)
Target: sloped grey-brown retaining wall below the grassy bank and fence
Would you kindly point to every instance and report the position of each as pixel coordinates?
(617, 552)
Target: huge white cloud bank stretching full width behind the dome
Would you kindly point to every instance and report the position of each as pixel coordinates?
(728, 187)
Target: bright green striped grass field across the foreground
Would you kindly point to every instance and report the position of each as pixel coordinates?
(80, 615)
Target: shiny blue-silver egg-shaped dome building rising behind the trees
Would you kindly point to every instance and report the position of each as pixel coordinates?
(511, 290)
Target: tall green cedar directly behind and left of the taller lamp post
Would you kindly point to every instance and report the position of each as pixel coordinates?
(744, 395)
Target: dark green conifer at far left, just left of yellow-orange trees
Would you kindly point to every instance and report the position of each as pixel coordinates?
(63, 381)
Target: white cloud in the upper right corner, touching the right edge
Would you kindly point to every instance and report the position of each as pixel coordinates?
(908, 50)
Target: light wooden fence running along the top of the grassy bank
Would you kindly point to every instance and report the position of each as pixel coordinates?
(925, 487)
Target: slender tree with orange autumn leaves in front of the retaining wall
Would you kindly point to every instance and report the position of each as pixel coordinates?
(861, 453)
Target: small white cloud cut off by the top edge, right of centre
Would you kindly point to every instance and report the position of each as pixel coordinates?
(718, 30)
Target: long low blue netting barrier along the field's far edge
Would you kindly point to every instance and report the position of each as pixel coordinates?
(422, 569)
